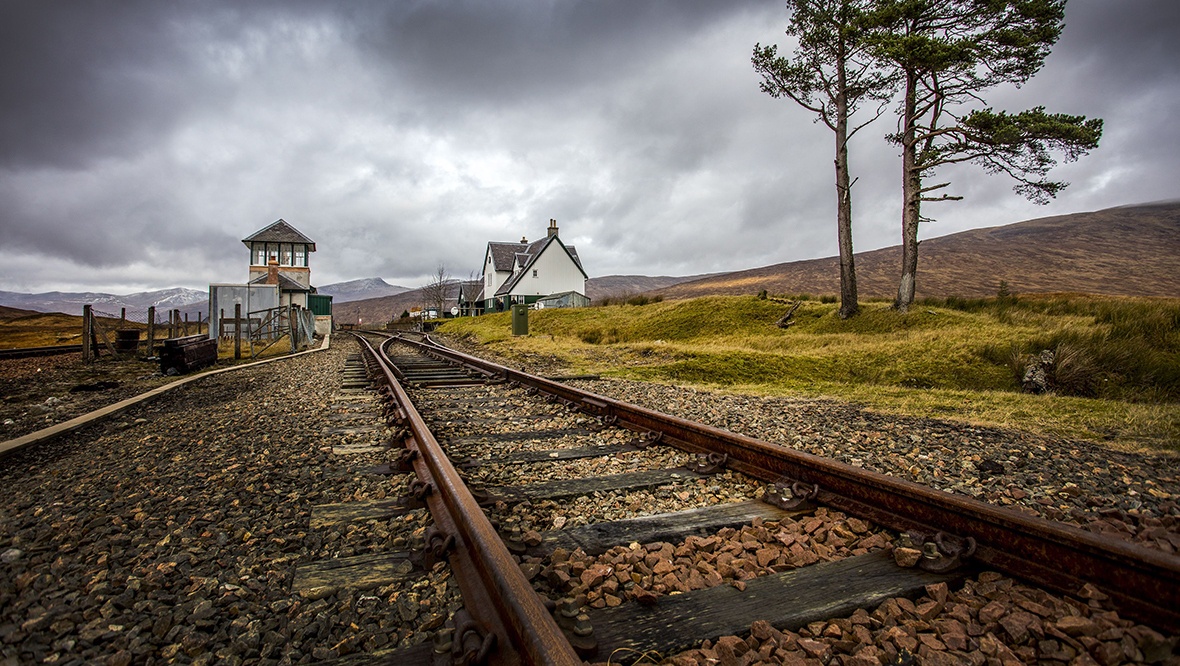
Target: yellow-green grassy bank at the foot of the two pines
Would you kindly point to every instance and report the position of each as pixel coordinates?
(1117, 376)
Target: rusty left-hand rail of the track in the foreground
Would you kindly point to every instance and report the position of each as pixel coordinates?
(495, 591)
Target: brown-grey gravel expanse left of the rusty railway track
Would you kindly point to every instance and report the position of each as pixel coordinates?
(173, 533)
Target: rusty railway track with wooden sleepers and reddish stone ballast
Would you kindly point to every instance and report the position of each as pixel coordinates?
(521, 475)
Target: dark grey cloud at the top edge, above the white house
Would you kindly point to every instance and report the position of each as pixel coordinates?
(526, 53)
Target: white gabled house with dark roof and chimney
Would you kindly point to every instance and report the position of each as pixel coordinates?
(525, 273)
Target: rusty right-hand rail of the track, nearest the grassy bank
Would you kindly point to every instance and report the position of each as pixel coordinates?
(1143, 583)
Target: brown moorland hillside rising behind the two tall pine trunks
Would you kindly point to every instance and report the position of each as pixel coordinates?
(1130, 251)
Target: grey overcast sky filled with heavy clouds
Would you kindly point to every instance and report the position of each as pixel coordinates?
(140, 142)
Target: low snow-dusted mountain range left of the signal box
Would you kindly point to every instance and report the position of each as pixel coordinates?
(191, 302)
